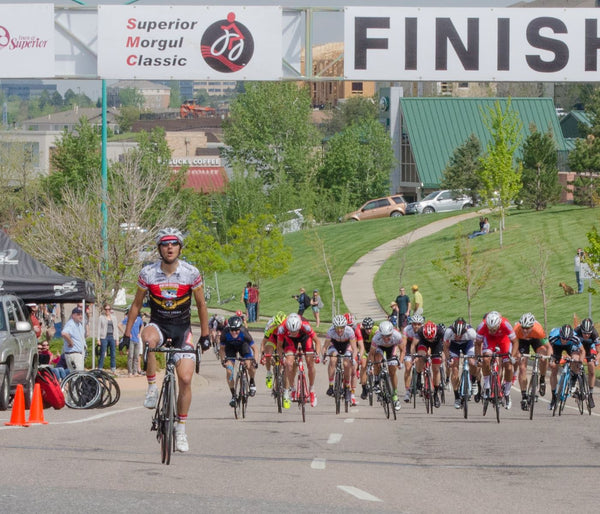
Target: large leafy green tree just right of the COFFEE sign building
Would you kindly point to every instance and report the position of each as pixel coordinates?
(269, 130)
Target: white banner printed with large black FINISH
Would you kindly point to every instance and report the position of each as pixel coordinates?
(464, 44)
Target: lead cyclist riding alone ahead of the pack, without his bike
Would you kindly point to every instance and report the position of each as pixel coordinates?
(170, 284)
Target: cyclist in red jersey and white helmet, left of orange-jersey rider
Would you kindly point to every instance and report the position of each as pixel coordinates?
(497, 332)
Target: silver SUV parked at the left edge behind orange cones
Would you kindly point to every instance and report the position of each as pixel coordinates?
(18, 350)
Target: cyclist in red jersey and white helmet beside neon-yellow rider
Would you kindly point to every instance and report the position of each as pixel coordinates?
(296, 330)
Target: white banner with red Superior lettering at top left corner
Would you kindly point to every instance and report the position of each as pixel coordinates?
(27, 41)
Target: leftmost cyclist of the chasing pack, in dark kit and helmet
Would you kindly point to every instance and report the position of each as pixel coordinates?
(236, 340)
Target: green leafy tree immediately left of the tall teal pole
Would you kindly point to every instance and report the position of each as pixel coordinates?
(76, 159)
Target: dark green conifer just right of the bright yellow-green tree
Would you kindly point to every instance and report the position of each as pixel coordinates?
(540, 171)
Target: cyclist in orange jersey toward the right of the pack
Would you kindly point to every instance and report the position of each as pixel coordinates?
(531, 335)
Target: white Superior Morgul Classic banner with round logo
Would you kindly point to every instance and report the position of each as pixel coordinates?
(189, 42)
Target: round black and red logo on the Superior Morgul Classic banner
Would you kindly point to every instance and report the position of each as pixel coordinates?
(227, 45)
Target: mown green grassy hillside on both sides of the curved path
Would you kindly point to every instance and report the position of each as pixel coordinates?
(510, 289)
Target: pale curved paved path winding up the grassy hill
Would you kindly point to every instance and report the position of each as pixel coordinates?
(357, 283)
